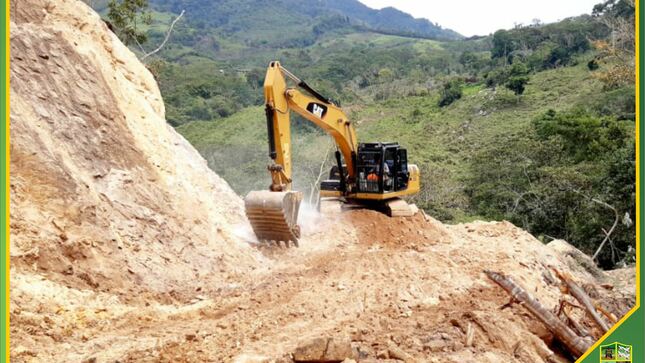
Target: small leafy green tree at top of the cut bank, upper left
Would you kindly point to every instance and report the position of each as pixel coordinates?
(126, 16)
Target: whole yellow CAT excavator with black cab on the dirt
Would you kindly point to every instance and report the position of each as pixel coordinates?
(375, 174)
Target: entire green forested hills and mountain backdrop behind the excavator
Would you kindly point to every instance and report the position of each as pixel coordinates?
(534, 124)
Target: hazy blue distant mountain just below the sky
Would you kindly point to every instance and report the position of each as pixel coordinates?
(280, 21)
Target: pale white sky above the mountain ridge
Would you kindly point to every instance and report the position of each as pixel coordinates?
(479, 17)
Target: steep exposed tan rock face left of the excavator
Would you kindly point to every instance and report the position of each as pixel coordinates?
(102, 189)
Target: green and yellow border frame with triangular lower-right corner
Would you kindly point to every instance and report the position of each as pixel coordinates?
(630, 330)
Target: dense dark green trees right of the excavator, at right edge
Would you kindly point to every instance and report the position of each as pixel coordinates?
(557, 179)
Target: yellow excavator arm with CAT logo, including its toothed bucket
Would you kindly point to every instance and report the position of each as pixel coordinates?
(273, 214)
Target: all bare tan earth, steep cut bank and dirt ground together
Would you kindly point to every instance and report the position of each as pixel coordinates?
(126, 247)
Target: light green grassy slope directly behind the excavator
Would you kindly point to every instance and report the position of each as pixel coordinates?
(442, 141)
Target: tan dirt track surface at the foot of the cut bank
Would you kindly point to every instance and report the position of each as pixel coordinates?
(420, 295)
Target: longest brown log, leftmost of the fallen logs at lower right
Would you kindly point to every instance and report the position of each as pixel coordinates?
(575, 344)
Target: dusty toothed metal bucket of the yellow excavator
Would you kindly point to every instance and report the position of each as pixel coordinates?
(274, 215)
